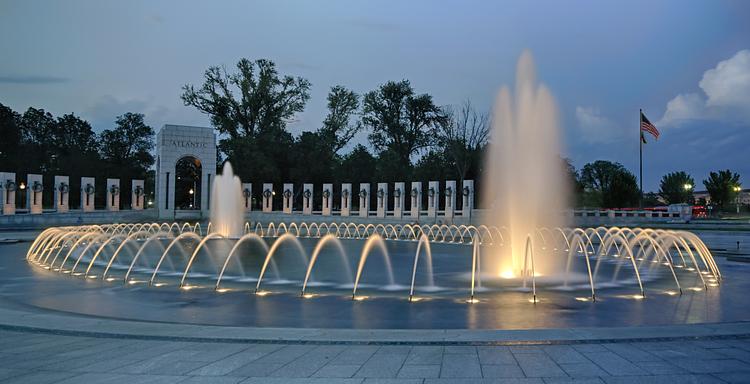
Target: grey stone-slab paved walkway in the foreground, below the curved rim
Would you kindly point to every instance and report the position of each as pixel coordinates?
(31, 357)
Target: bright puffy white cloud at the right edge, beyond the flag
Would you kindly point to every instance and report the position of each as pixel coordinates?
(725, 95)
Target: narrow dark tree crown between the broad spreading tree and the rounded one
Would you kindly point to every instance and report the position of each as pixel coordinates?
(338, 126)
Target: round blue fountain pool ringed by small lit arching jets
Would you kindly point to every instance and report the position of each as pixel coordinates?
(304, 275)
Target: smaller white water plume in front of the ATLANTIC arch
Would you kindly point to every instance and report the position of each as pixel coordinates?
(227, 210)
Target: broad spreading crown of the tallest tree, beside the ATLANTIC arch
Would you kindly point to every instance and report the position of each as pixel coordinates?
(252, 100)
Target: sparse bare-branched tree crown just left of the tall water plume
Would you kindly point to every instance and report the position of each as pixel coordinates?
(462, 135)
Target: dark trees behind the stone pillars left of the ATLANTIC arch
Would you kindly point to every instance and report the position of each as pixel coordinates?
(35, 141)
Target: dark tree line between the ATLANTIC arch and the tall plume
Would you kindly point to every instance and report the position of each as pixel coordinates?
(409, 136)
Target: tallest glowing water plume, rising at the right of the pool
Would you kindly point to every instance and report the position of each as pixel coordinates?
(524, 187)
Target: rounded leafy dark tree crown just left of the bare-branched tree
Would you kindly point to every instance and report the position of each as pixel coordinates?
(401, 122)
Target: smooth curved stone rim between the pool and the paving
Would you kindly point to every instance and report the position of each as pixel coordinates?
(43, 321)
